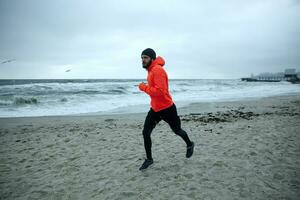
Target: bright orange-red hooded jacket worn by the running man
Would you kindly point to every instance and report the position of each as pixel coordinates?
(157, 88)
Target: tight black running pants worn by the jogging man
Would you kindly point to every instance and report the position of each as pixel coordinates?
(170, 116)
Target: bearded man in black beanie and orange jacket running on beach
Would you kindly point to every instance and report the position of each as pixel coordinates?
(162, 105)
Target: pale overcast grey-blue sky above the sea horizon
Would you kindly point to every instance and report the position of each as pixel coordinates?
(104, 39)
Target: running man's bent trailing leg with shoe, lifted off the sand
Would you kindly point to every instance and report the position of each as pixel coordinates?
(170, 116)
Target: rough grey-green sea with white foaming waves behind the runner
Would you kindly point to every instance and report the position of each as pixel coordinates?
(53, 97)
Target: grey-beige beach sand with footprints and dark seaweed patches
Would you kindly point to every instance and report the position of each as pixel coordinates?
(243, 150)
